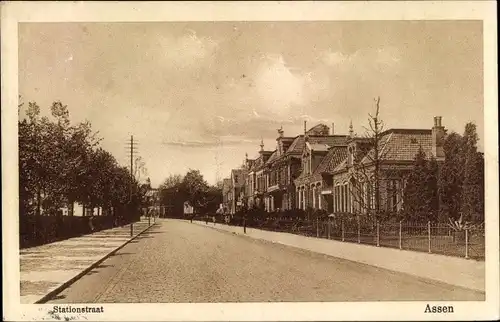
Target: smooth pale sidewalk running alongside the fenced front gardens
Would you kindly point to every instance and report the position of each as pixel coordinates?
(447, 269)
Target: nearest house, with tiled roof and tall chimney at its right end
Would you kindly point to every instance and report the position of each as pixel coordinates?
(351, 182)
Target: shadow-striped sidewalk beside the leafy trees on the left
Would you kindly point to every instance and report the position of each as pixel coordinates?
(48, 269)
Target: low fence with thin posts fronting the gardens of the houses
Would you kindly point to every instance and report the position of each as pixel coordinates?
(437, 238)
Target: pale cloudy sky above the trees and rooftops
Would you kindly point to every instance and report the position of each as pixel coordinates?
(199, 95)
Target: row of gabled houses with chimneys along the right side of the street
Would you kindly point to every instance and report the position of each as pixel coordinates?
(320, 169)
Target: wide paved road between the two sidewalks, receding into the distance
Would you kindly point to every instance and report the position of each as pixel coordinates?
(177, 261)
